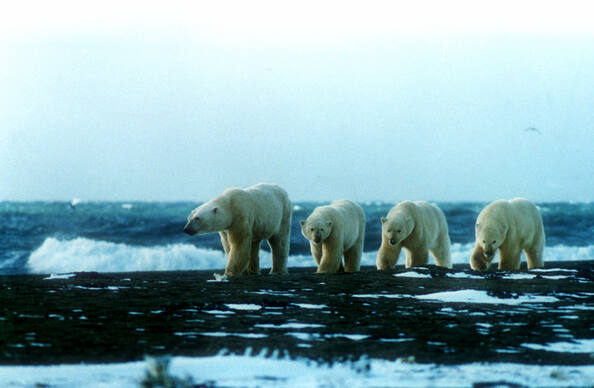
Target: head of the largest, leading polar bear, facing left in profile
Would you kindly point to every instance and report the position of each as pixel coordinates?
(213, 216)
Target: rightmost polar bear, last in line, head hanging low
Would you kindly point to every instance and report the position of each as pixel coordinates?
(512, 227)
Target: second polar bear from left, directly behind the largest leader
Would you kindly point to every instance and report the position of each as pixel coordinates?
(333, 231)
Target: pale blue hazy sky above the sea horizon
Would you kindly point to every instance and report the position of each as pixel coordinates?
(367, 101)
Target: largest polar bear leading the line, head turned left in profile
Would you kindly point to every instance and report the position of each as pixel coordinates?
(243, 218)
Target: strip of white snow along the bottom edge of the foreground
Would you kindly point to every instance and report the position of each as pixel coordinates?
(259, 371)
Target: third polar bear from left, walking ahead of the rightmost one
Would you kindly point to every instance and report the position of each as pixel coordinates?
(418, 226)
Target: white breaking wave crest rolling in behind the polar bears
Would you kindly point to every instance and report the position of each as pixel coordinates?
(83, 254)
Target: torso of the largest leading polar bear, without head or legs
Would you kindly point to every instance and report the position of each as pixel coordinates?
(263, 208)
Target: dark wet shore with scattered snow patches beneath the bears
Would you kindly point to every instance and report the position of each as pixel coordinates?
(430, 315)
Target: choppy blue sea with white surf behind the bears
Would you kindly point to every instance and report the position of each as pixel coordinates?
(73, 236)
